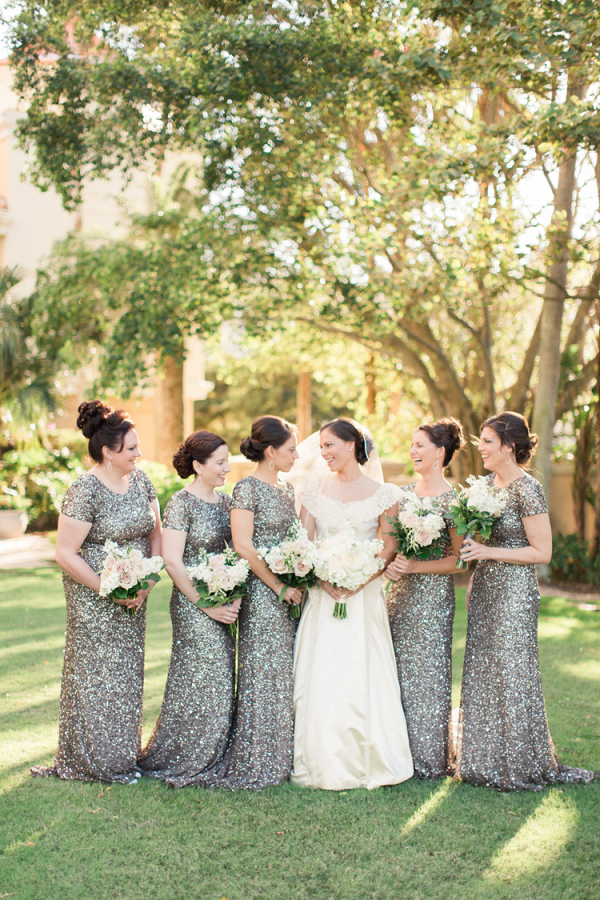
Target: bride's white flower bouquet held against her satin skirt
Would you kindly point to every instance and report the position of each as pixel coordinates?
(346, 562)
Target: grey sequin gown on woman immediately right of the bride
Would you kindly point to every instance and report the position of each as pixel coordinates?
(421, 611)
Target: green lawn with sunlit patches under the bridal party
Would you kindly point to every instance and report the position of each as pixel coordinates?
(416, 841)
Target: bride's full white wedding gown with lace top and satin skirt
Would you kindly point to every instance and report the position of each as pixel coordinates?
(350, 730)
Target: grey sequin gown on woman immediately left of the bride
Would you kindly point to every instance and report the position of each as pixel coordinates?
(259, 753)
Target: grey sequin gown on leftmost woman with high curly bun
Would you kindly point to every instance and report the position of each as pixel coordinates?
(100, 722)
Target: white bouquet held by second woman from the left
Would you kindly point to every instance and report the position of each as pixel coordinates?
(220, 578)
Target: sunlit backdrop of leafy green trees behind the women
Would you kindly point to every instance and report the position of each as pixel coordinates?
(392, 208)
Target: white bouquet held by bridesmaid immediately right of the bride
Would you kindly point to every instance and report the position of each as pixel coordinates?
(418, 527)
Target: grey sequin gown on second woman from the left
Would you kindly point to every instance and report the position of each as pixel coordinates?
(195, 719)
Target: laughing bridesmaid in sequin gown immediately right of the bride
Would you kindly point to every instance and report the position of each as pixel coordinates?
(421, 608)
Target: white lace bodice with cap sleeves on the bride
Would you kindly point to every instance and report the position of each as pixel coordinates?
(363, 515)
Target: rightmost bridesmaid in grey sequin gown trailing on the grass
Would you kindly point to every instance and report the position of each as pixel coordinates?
(505, 741)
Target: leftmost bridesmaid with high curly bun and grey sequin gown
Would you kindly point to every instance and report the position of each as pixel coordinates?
(103, 674)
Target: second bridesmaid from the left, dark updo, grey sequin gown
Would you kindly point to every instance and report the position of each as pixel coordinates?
(195, 720)
